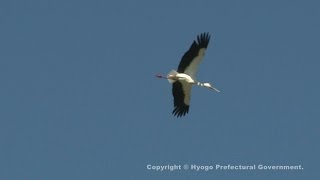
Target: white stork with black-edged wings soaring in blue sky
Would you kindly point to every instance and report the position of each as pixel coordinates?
(183, 79)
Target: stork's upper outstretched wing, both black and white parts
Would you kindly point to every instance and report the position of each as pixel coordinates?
(192, 58)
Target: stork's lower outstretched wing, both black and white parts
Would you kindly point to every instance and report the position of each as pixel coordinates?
(181, 92)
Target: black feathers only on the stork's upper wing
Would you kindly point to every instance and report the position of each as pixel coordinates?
(202, 42)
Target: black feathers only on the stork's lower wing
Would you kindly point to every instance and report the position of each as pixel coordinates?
(180, 108)
